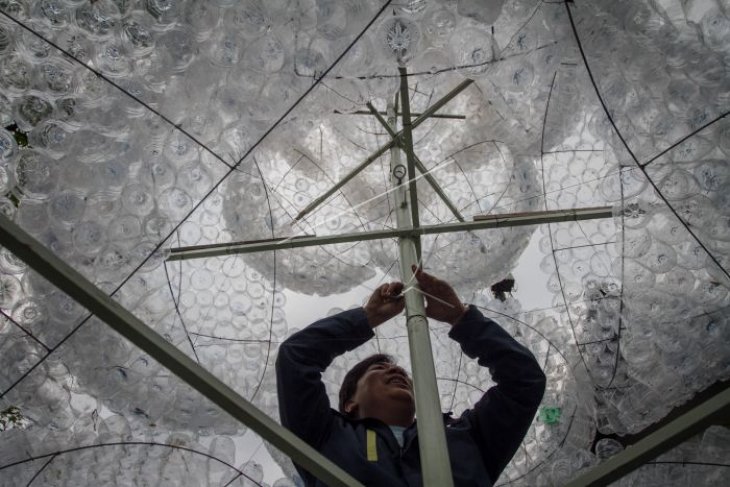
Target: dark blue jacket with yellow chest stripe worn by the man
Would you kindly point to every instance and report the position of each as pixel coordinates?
(481, 442)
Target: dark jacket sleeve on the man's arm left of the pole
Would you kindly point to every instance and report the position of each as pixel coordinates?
(304, 407)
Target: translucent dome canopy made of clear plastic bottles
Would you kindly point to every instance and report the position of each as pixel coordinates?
(131, 129)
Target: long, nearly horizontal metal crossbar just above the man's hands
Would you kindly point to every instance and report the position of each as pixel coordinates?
(483, 222)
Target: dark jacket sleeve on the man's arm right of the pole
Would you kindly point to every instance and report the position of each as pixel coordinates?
(501, 418)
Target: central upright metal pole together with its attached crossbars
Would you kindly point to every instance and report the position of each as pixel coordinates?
(435, 463)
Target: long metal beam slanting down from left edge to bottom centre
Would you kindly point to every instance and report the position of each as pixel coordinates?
(61, 275)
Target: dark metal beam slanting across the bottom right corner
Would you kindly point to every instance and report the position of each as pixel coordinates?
(717, 408)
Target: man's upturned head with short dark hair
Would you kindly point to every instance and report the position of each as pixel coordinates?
(385, 392)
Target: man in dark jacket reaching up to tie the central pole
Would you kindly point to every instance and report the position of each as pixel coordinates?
(373, 436)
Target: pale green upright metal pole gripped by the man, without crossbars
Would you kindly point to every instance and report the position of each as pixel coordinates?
(435, 465)
